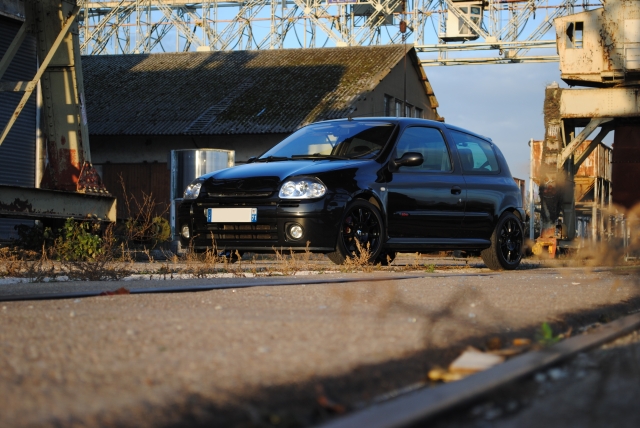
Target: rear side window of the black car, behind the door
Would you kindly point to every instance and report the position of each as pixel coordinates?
(476, 155)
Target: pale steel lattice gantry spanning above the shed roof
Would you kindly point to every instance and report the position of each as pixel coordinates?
(445, 32)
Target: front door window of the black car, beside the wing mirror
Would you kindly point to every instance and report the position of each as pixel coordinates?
(430, 143)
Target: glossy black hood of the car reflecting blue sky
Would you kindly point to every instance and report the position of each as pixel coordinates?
(262, 177)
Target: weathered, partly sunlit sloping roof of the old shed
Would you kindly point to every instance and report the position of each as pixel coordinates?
(208, 93)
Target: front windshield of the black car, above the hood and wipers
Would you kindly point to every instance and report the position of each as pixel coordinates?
(333, 140)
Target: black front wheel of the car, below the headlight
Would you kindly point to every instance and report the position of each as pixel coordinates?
(363, 222)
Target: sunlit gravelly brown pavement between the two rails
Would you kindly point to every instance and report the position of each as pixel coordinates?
(290, 355)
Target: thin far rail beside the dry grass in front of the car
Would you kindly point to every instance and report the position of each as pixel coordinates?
(111, 285)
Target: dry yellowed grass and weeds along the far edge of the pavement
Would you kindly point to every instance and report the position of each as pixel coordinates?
(116, 260)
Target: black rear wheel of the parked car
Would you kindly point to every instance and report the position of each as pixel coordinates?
(507, 240)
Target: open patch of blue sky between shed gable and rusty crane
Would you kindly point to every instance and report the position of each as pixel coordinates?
(503, 102)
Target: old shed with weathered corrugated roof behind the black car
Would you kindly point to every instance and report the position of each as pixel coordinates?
(140, 107)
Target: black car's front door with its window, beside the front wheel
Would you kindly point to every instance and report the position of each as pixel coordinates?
(424, 202)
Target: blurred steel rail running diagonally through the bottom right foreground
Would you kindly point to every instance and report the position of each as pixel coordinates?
(417, 406)
